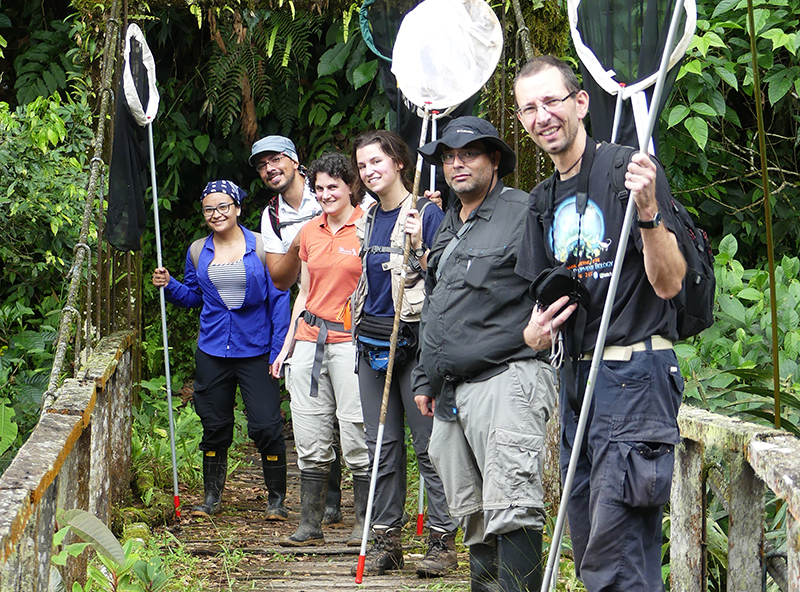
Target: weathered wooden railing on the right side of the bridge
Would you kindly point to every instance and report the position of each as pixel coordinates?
(755, 457)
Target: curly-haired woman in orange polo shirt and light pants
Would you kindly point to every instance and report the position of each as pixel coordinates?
(320, 372)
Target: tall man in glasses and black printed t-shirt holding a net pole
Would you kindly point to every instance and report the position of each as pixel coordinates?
(625, 467)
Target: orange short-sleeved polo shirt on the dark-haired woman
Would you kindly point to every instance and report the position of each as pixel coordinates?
(334, 268)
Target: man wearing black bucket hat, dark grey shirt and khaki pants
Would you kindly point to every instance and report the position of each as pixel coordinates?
(489, 393)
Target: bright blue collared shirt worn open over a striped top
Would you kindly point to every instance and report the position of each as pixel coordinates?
(258, 326)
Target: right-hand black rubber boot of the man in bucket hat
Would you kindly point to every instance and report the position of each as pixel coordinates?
(519, 557)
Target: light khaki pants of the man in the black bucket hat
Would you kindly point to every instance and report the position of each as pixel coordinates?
(490, 458)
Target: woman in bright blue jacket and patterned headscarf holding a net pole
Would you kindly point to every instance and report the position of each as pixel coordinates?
(243, 323)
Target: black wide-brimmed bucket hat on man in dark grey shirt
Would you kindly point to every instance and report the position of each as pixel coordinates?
(462, 131)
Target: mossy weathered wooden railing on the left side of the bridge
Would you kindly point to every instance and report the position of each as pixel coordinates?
(78, 456)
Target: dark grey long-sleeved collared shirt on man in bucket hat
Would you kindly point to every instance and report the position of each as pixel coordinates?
(477, 308)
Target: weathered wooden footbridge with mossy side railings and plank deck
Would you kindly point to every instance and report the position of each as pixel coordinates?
(79, 456)
